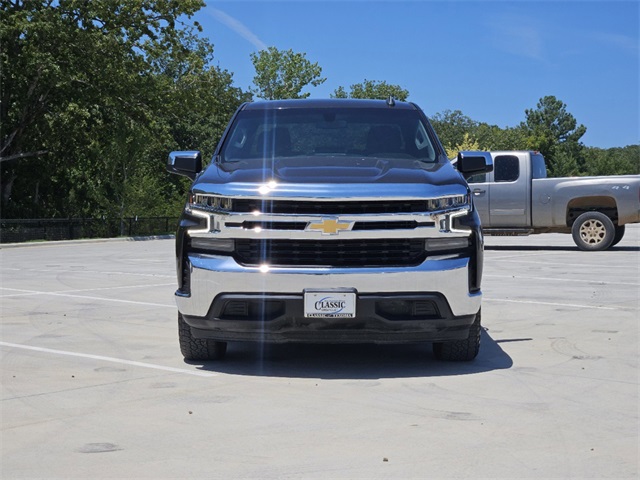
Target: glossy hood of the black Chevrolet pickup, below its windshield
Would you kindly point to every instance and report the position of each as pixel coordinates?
(339, 176)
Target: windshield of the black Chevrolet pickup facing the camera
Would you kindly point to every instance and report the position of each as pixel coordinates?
(335, 132)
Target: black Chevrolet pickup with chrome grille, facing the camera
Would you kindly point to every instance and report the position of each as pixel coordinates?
(329, 221)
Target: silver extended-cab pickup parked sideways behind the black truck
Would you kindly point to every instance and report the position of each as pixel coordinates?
(516, 198)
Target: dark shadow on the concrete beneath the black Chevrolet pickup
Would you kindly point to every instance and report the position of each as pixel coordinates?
(351, 361)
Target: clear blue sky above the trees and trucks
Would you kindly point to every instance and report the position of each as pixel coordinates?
(491, 60)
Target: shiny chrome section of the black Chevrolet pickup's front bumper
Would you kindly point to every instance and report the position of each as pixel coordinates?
(212, 275)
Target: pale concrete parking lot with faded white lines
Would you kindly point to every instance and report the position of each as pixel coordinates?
(94, 386)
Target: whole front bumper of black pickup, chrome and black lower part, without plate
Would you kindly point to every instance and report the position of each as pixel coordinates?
(277, 298)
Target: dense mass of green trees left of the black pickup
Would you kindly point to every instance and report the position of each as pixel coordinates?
(94, 94)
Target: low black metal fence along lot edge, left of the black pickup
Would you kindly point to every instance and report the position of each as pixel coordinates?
(24, 230)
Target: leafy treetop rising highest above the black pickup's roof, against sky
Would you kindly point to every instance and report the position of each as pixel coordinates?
(283, 74)
